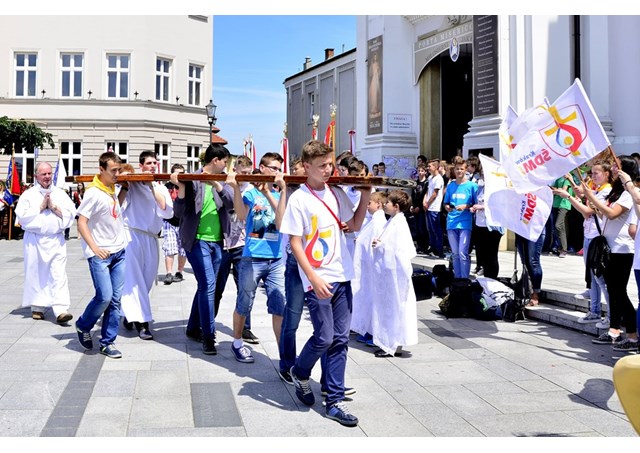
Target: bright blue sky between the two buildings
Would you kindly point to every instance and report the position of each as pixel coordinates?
(252, 56)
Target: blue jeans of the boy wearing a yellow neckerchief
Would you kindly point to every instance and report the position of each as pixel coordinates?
(108, 280)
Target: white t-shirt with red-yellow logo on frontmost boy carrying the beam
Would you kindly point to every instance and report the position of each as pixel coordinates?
(323, 241)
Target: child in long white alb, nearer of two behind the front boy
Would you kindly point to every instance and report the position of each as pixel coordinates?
(394, 318)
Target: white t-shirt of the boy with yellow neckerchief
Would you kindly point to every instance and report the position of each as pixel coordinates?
(105, 221)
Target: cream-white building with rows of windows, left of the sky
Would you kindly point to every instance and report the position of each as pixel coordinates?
(129, 83)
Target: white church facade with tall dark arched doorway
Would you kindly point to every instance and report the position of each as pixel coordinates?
(412, 97)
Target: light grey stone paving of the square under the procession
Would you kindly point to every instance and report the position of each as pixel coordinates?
(465, 378)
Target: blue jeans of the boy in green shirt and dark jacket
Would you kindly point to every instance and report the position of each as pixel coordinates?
(205, 258)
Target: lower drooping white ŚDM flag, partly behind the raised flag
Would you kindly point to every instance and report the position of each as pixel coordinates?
(522, 213)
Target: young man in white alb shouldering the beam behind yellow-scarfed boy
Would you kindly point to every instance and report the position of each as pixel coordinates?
(145, 205)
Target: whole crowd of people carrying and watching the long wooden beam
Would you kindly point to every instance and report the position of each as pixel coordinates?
(332, 248)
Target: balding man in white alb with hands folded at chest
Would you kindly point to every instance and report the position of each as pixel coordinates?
(44, 212)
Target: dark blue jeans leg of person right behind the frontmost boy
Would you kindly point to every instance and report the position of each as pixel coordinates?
(294, 293)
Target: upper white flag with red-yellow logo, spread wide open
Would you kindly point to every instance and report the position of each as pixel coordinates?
(565, 135)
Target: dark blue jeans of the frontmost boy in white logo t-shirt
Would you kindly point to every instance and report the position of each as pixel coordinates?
(331, 319)
